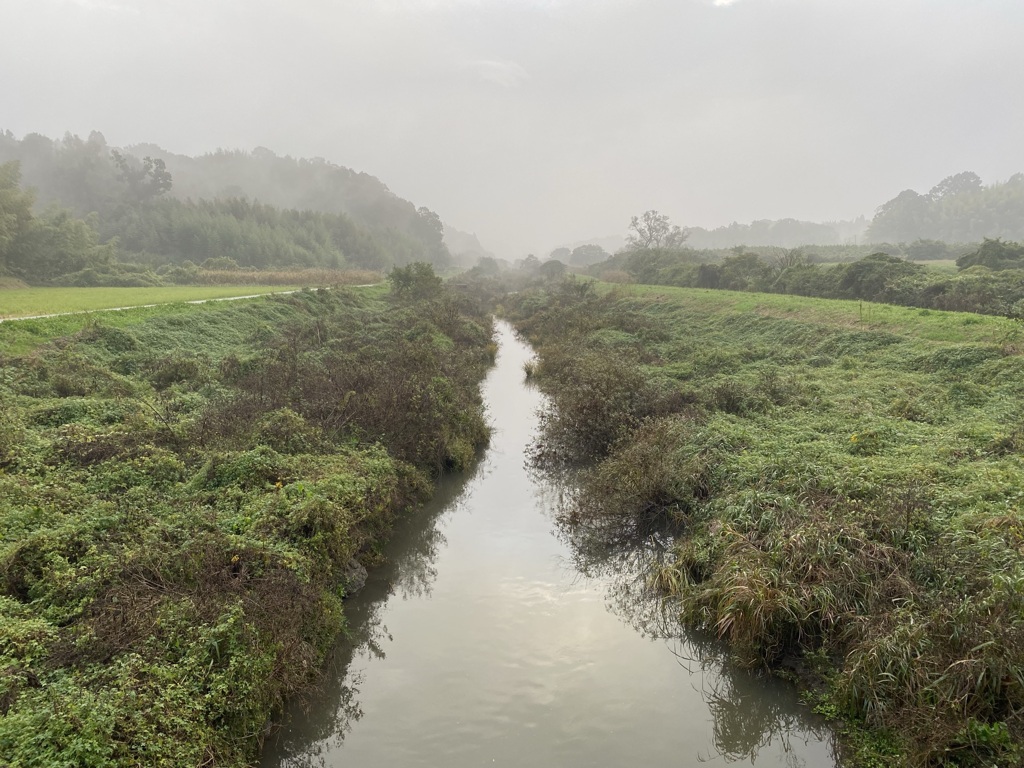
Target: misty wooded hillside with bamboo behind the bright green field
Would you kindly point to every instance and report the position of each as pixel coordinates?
(73, 205)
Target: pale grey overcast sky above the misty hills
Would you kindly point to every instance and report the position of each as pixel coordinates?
(536, 123)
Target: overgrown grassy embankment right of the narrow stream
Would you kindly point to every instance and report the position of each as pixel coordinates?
(843, 501)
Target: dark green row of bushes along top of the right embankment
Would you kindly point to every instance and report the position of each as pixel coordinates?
(990, 281)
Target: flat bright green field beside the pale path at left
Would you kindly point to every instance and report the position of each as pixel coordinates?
(27, 303)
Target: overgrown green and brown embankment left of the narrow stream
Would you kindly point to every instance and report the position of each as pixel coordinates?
(188, 494)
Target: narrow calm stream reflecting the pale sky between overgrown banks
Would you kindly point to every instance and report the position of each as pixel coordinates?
(482, 644)
